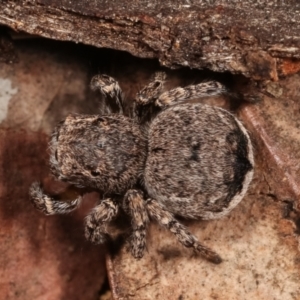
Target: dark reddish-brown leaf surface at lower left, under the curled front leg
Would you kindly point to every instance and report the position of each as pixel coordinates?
(41, 258)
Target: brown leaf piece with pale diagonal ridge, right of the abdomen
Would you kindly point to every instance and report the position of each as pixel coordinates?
(275, 127)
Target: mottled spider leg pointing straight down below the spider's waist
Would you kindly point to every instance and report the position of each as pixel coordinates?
(134, 205)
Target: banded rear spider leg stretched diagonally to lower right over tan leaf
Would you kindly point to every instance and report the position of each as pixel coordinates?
(167, 220)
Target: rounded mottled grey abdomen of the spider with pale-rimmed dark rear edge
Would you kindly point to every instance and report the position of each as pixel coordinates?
(200, 160)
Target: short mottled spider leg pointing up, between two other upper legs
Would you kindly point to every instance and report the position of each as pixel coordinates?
(147, 96)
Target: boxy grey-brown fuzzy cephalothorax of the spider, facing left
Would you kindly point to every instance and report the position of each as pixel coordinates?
(108, 152)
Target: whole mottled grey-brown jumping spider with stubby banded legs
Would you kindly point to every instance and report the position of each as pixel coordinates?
(191, 160)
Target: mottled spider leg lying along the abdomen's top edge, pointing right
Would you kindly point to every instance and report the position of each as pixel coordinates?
(177, 95)
